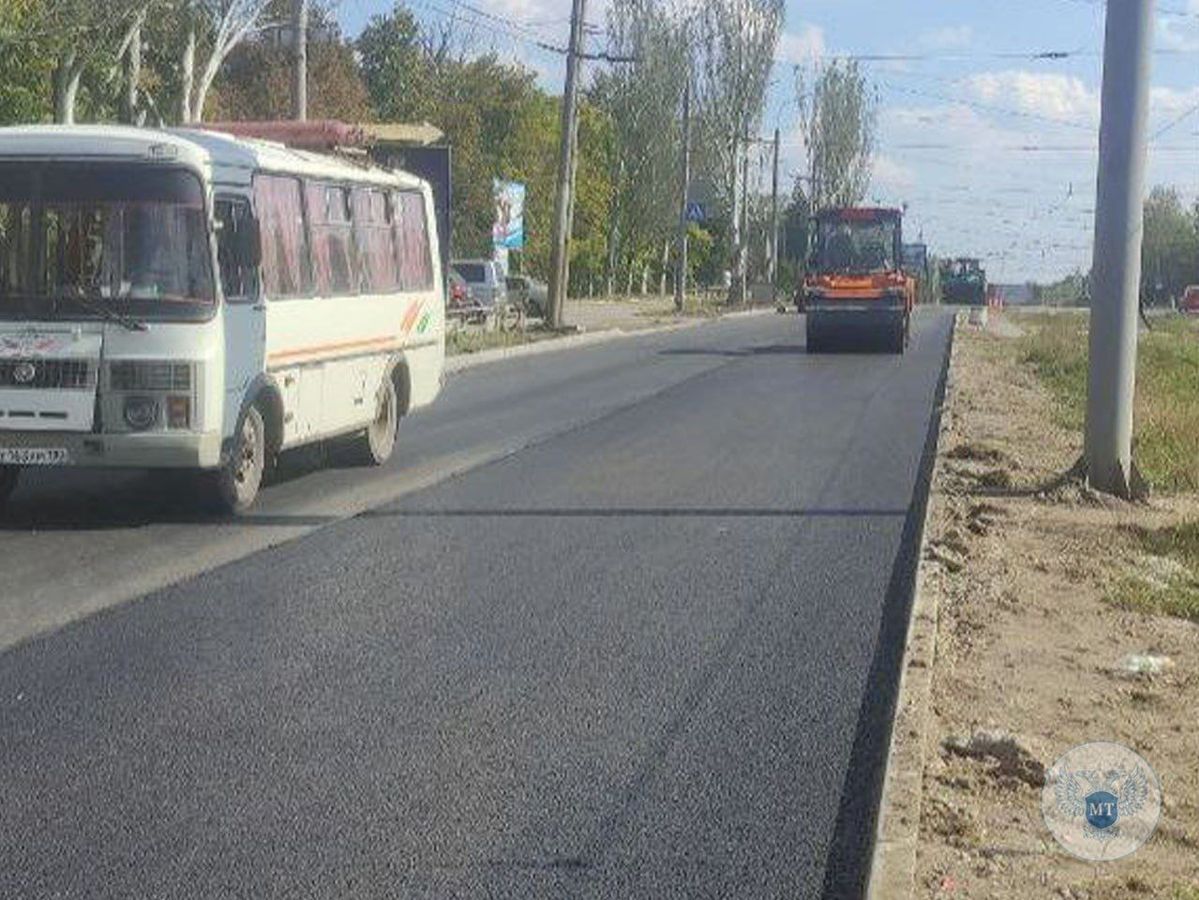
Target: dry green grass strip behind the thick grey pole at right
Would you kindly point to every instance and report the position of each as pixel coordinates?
(1167, 414)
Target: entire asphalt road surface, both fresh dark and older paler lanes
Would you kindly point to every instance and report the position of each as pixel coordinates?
(618, 621)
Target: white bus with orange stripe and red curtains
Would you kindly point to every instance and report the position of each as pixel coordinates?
(190, 300)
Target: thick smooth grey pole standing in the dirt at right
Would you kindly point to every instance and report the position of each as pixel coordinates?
(1119, 220)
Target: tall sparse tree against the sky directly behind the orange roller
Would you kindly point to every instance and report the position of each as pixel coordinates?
(839, 119)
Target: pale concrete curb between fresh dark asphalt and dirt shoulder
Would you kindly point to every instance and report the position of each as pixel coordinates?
(897, 836)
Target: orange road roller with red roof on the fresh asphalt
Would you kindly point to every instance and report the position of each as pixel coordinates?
(855, 282)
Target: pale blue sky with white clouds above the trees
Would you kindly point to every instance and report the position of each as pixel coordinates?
(993, 152)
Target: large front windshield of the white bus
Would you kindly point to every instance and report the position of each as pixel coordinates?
(131, 239)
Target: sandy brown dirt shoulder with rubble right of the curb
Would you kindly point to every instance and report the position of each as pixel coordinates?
(1046, 597)
